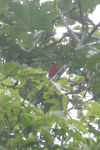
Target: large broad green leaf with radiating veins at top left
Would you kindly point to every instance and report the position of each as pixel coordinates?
(32, 16)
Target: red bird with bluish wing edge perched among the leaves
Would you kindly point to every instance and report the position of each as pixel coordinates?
(53, 69)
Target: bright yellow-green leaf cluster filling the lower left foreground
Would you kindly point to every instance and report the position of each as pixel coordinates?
(24, 123)
